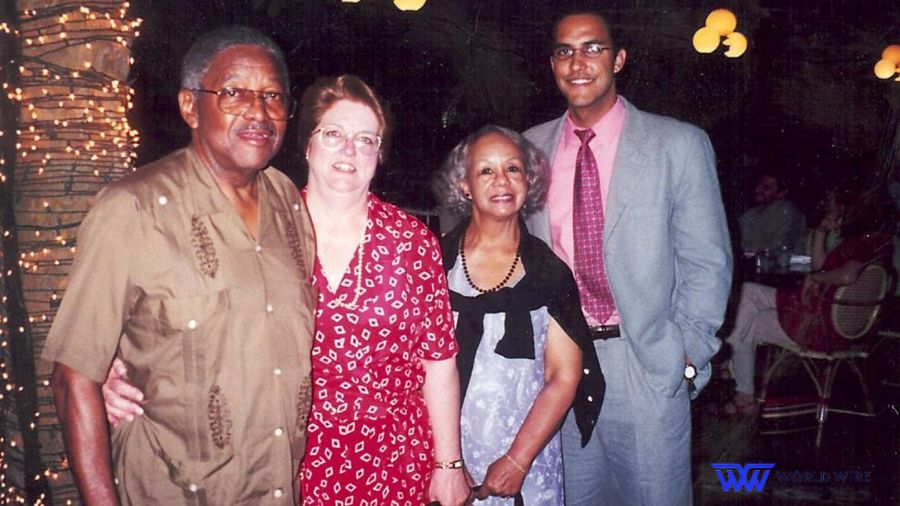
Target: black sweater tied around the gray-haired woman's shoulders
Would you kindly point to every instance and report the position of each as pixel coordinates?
(547, 282)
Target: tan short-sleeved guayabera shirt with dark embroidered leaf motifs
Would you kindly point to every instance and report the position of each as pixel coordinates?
(214, 325)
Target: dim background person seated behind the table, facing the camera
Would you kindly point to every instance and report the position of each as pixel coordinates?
(774, 222)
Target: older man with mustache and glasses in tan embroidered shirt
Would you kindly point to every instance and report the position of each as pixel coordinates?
(195, 270)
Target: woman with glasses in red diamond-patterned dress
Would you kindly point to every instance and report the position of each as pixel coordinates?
(384, 424)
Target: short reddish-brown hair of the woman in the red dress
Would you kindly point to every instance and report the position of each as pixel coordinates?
(325, 91)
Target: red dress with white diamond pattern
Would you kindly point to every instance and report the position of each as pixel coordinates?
(369, 437)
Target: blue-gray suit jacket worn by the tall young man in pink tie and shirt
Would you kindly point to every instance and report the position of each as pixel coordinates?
(666, 248)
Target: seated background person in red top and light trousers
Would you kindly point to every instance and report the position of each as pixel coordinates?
(800, 318)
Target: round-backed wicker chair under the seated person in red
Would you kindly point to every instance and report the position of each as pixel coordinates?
(854, 313)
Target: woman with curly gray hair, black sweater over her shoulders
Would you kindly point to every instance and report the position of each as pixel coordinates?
(523, 340)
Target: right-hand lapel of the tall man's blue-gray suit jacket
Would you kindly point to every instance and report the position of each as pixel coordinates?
(628, 168)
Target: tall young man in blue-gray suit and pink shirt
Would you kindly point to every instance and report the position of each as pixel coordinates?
(634, 208)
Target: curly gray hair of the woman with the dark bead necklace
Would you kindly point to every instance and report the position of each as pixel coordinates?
(446, 182)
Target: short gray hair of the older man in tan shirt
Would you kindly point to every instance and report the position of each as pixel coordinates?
(202, 52)
